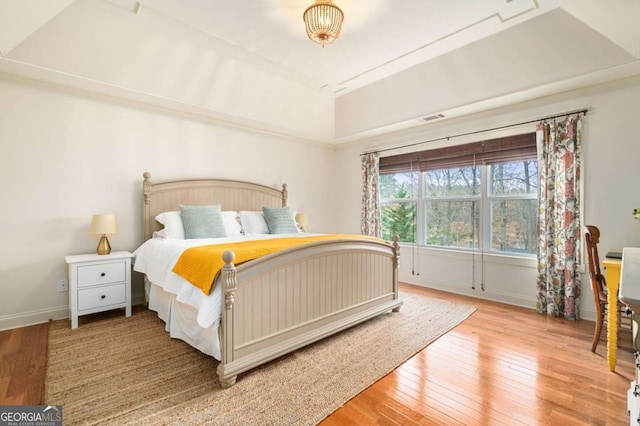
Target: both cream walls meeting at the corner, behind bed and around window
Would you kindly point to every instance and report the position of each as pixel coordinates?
(67, 155)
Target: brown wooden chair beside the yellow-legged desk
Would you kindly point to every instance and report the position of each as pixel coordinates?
(598, 284)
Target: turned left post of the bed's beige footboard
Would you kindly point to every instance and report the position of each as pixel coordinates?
(228, 282)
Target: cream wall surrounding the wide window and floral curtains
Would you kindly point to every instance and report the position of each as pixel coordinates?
(611, 152)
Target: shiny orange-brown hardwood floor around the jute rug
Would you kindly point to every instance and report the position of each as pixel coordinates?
(503, 365)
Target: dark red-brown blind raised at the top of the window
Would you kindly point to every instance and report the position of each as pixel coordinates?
(499, 150)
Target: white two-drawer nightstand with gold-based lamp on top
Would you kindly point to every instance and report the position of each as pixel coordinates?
(99, 283)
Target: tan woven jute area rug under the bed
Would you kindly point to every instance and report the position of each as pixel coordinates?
(119, 370)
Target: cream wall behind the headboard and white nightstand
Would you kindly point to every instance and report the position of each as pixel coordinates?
(67, 155)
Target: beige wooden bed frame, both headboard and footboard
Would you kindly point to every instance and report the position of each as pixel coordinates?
(286, 300)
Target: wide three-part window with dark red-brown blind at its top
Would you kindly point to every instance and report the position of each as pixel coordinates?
(451, 201)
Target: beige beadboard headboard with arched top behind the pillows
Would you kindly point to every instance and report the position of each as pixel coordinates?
(231, 194)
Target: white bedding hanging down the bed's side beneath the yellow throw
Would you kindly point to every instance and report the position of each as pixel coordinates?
(156, 258)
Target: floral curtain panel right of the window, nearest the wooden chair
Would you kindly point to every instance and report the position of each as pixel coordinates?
(559, 222)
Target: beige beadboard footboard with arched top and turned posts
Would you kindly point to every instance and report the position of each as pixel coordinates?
(281, 302)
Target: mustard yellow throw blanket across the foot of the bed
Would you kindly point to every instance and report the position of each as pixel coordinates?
(201, 265)
